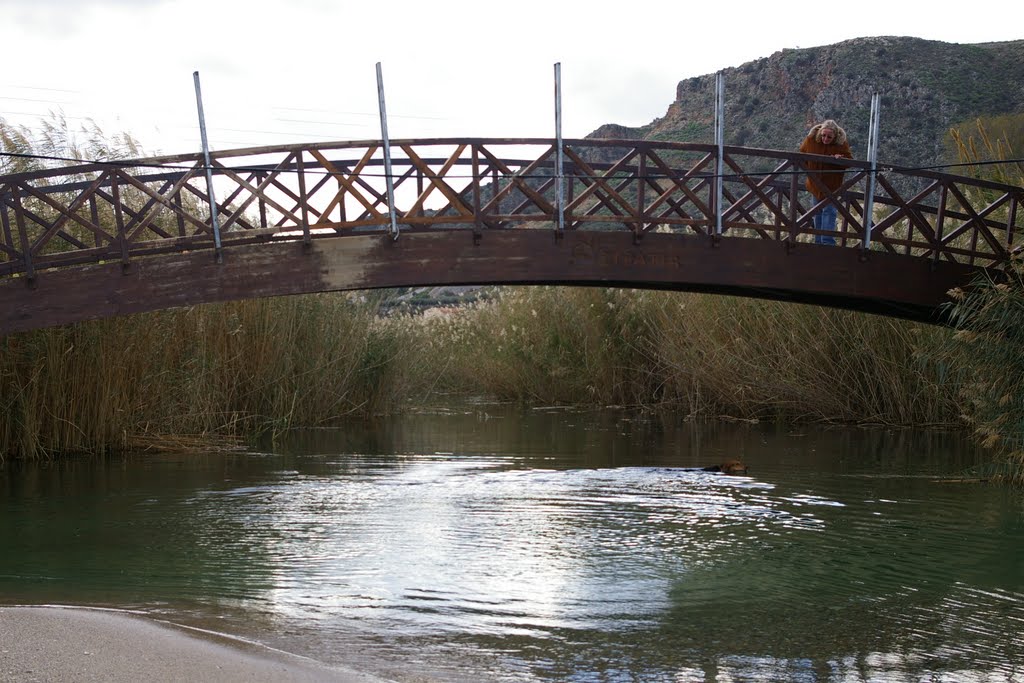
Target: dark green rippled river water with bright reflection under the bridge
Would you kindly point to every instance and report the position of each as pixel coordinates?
(492, 544)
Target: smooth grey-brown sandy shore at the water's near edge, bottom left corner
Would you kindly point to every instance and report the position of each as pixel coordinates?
(65, 646)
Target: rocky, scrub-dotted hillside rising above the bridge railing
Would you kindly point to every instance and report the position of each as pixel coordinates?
(926, 89)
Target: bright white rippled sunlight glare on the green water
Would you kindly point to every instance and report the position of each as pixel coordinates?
(450, 546)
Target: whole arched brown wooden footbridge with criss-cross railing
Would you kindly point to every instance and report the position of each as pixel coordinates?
(109, 239)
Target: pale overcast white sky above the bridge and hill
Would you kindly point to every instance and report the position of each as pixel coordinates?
(305, 71)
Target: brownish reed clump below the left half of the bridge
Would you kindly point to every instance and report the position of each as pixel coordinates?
(214, 372)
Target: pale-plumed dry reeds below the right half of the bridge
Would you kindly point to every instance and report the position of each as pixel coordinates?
(701, 356)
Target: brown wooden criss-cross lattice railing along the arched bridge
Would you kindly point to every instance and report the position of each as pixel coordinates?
(122, 211)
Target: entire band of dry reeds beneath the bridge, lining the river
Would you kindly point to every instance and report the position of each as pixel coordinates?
(246, 368)
